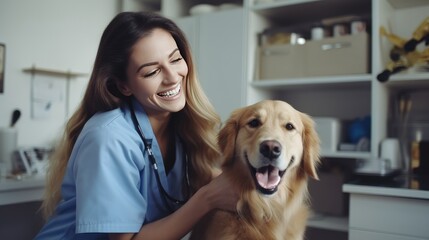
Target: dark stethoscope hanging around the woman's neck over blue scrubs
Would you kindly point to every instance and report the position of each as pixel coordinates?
(148, 147)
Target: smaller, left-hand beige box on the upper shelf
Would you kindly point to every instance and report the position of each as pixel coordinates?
(281, 61)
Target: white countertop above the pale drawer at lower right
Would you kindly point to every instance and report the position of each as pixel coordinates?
(402, 186)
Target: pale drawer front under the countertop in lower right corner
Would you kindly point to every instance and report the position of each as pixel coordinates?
(392, 215)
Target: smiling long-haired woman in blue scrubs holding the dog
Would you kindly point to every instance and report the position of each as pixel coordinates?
(144, 124)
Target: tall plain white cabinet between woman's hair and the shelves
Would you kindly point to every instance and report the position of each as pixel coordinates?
(217, 41)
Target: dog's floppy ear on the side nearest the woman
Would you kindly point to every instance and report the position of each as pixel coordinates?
(227, 136)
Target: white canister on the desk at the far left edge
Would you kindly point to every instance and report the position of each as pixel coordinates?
(8, 143)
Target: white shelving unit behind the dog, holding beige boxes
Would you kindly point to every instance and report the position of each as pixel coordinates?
(401, 17)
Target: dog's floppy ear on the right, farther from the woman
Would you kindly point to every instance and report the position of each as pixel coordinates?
(311, 146)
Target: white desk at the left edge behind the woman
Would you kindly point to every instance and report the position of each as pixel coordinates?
(19, 191)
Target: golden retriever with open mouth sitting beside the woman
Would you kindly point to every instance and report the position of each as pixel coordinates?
(270, 149)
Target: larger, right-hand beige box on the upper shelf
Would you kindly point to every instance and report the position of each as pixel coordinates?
(341, 55)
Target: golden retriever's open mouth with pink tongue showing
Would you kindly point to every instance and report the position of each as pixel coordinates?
(266, 178)
